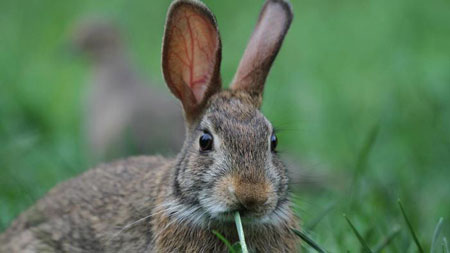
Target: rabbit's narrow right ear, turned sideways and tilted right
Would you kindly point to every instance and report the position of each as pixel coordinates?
(265, 42)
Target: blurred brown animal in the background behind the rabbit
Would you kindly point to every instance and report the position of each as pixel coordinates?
(123, 114)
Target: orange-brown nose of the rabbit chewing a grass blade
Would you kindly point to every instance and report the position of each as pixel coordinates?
(251, 196)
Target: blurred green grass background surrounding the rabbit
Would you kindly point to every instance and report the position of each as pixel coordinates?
(360, 91)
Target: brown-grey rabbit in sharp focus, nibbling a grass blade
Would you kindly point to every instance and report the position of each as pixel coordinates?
(228, 162)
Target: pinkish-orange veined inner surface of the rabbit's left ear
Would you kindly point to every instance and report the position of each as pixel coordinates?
(194, 46)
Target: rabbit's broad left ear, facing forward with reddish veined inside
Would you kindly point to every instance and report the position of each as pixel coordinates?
(191, 55)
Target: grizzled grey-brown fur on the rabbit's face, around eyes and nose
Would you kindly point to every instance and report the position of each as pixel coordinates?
(241, 150)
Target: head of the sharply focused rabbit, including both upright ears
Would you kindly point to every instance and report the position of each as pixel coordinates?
(229, 161)
